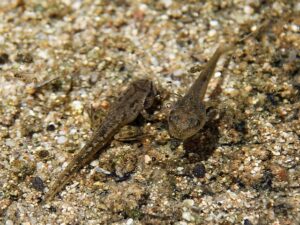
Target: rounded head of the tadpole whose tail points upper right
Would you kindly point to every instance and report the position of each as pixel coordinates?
(186, 122)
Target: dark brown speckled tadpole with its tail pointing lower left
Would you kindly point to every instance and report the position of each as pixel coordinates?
(139, 96)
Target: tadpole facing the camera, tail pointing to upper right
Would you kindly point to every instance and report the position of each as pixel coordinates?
(188, 115)
